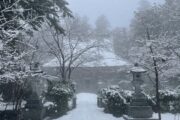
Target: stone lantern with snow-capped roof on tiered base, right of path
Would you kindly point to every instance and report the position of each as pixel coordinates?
(138, 108)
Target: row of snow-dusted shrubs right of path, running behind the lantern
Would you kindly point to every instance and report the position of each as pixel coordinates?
(115, 101)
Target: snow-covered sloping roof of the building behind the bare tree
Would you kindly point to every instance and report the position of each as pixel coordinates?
(102, 56)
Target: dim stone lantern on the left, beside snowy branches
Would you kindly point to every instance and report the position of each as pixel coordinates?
(34, 109)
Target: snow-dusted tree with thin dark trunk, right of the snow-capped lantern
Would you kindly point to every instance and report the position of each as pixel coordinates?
(156, 33)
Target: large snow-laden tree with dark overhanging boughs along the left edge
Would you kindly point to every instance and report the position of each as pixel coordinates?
(19, 18)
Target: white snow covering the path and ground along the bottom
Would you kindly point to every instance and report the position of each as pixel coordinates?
(87, 110)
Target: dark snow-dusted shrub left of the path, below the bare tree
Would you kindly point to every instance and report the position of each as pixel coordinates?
(60, 94)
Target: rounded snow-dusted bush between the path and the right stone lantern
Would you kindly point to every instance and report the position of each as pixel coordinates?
(116, 101)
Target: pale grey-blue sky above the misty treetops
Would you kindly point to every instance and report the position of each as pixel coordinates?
(118, 12)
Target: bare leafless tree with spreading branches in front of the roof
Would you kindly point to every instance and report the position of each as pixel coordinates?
(70, 48)
